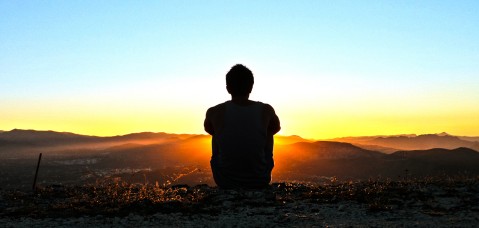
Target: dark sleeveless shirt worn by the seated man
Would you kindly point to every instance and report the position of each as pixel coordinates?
(242, 151)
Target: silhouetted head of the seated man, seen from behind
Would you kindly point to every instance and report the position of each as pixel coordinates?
(239, 80)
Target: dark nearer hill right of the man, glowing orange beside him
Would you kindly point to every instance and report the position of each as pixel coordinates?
(343, 160)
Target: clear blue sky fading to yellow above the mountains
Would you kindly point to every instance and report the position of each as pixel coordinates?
(329, 68)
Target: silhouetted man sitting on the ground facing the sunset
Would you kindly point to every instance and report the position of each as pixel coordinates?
(242, 135)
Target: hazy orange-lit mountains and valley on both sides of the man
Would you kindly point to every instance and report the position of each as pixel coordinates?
(71, 157)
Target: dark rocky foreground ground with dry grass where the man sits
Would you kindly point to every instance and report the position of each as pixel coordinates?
(440, 202)
